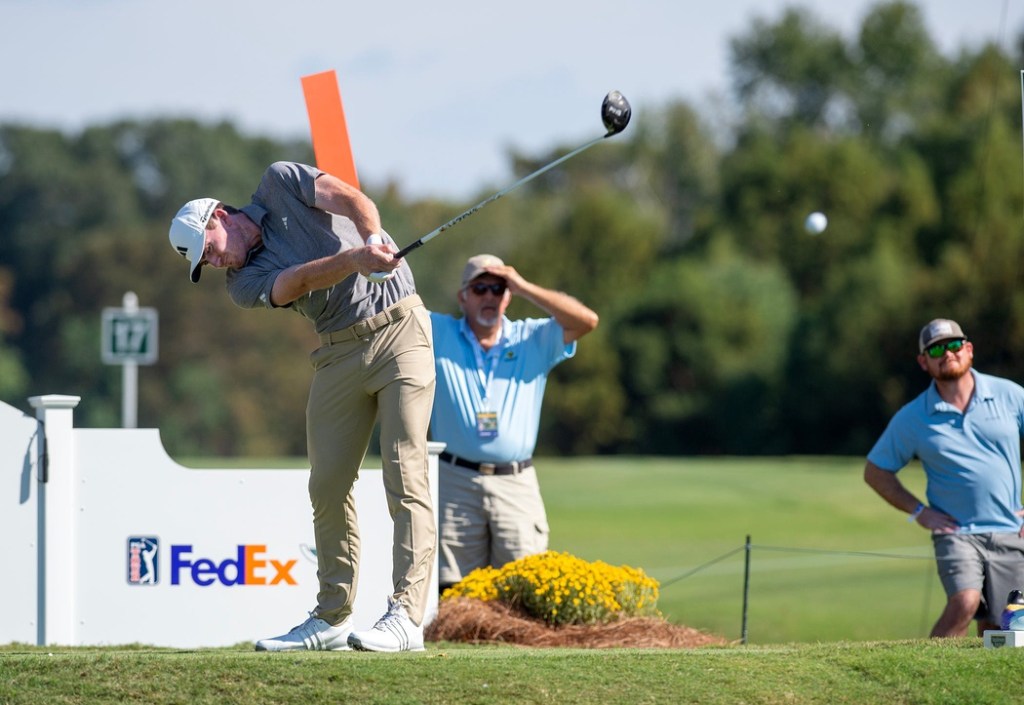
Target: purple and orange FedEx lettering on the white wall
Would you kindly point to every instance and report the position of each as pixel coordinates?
(247, 567)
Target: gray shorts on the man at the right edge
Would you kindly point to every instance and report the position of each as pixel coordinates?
(993, 564)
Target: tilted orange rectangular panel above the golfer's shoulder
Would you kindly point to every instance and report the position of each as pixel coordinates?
(327, 127)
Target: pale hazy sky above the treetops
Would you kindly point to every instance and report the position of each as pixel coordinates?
(436, 94)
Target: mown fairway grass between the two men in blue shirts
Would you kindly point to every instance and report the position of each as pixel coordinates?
(820, 570)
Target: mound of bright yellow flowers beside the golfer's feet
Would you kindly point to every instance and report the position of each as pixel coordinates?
(564, 590)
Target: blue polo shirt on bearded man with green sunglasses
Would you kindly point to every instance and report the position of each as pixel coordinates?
(972, 460)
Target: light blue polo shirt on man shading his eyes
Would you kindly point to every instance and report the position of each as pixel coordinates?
(510, 385)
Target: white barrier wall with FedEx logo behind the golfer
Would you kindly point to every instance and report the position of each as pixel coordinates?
(138, 549)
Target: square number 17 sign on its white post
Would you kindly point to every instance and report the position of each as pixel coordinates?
(130, 338)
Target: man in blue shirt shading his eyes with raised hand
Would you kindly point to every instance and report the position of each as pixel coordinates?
(491, 379)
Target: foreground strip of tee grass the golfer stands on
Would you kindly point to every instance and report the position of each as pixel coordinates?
(947, 673)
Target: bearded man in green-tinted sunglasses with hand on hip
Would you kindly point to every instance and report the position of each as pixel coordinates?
(966, 430)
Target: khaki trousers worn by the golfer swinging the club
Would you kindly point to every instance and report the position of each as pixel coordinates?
(385, 369)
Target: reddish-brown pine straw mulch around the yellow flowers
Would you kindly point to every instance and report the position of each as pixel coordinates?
(476, 621)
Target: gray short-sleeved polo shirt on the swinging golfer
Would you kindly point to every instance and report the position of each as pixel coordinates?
(296, 232)
